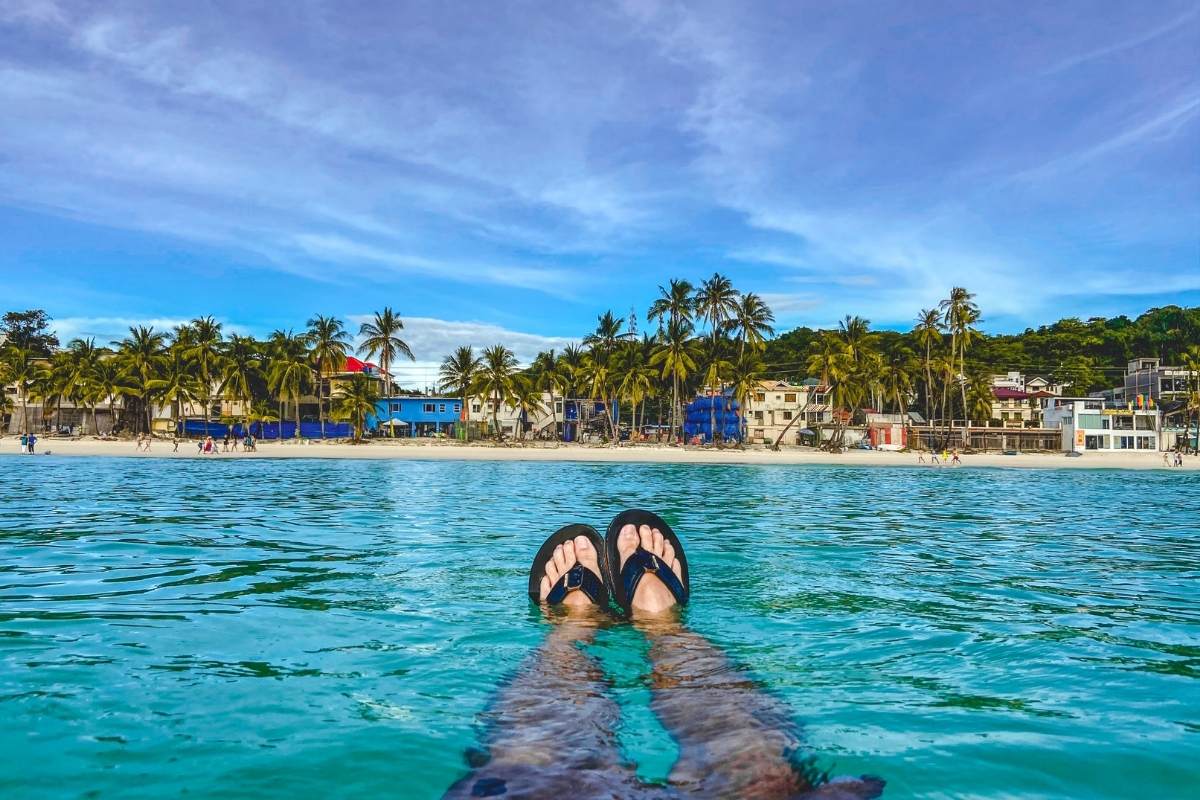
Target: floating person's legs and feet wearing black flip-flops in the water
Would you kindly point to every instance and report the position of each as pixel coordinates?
(554, 726)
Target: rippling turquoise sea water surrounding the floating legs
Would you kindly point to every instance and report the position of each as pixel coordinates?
(295, 629)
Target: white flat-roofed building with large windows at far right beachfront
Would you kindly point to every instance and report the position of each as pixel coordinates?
(1094, 425)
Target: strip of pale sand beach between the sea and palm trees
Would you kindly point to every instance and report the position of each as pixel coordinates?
(550, 452)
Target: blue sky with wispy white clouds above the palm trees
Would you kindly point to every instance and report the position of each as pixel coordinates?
(509, 171)
